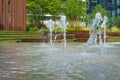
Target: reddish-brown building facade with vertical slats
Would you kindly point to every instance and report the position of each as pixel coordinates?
(13, 15)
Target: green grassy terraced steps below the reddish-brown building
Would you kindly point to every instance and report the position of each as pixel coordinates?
(12, 36)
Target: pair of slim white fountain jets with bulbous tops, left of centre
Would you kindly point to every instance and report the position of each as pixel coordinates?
(62, 24)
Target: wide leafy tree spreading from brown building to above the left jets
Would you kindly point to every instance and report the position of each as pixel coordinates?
(36, 9)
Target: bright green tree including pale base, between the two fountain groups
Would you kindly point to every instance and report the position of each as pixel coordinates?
(75, 11)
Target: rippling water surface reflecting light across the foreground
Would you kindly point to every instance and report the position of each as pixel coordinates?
(32, 61)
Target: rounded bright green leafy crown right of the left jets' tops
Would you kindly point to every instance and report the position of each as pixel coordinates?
(74, 9)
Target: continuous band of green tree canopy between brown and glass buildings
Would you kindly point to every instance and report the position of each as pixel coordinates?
(36, 9)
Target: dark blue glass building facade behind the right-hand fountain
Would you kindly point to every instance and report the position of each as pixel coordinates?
(112, 6)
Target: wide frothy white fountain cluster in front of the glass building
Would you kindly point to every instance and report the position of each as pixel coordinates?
(95, 30)
